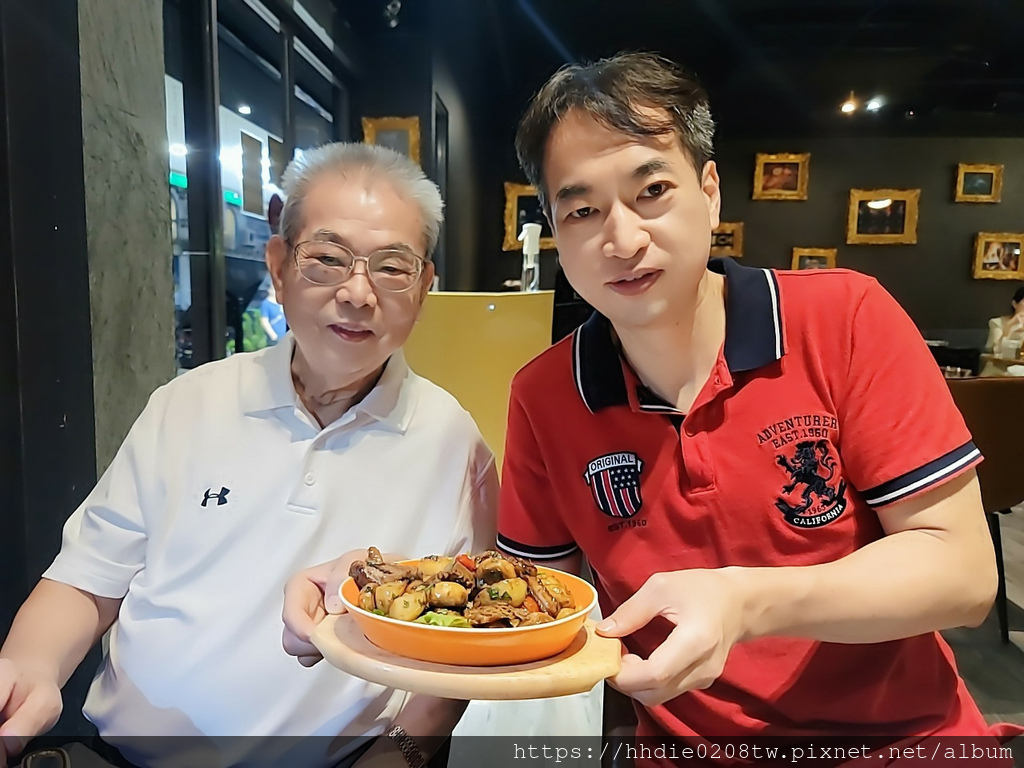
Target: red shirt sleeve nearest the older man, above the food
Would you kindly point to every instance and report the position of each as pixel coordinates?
(529, 522)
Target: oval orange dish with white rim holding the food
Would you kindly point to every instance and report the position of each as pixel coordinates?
(475, 648)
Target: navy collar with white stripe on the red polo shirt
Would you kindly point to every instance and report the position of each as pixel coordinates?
(753, 338)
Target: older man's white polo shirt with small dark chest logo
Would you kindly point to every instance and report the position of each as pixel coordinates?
(225, 488)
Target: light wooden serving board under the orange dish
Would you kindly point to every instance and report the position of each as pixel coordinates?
(586, 663)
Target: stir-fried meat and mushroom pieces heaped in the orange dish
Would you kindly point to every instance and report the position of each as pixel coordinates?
(490, 590)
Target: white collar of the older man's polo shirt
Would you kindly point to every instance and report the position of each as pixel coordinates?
(392, 401)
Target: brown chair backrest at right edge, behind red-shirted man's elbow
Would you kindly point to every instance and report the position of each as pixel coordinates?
(994, 410)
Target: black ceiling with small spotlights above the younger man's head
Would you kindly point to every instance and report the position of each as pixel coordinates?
(773, 66)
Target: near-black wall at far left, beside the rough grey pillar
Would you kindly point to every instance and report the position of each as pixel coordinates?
(48, 434)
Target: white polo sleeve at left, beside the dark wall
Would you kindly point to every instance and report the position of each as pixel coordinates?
(104, 542)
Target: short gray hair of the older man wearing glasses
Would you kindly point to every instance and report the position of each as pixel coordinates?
(344, 159)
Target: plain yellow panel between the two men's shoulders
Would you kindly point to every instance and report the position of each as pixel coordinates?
(473, 345)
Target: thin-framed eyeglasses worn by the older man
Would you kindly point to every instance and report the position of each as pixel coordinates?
(325, 264)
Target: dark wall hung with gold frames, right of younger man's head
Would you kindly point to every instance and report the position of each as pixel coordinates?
(933, 279)
